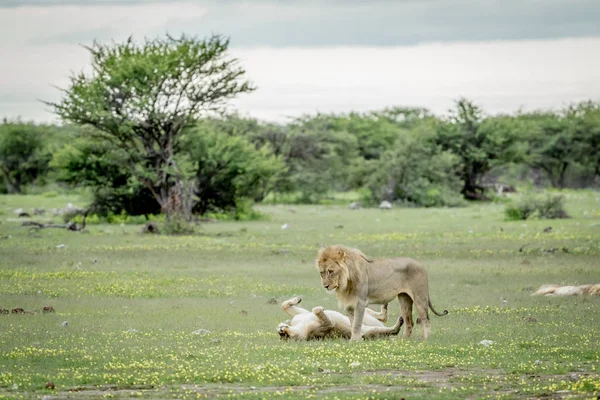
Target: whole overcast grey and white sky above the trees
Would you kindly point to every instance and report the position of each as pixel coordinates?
(306, 56)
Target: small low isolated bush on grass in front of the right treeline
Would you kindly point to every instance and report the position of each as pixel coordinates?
(548, 206)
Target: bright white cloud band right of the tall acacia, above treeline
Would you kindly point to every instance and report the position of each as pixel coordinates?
(501, 76)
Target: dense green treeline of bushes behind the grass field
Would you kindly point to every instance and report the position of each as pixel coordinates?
(396, 154)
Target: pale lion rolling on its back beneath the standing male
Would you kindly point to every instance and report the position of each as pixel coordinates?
(320, 323)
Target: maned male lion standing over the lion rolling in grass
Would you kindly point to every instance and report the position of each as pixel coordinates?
(359, 281)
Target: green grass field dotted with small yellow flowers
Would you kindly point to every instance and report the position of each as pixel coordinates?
(133, 303)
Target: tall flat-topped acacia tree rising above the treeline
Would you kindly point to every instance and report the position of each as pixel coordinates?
(142, 96)
